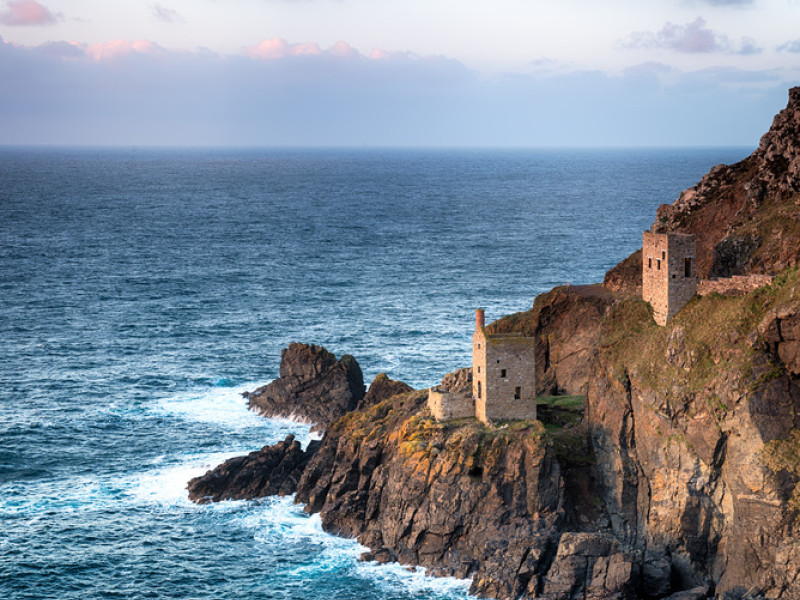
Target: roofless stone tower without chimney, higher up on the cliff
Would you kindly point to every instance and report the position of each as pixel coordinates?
(668, 272)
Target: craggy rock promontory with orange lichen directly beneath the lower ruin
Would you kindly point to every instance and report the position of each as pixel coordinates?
(457, 498)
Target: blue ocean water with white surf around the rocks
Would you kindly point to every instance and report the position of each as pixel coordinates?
(141, 291)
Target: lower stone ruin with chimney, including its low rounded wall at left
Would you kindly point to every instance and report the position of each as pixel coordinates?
(503, 380)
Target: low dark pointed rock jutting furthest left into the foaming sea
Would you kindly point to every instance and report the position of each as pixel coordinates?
(273, 470)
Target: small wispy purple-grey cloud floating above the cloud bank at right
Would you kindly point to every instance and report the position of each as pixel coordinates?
(691, 38)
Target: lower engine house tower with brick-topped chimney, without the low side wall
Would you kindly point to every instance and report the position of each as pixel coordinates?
(503, 374)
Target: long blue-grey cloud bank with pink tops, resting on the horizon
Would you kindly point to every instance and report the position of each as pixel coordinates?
(278, 93)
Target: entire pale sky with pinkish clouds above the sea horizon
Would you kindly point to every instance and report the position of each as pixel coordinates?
(450, 73)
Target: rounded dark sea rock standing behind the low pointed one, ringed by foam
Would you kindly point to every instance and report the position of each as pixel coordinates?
(313, 386)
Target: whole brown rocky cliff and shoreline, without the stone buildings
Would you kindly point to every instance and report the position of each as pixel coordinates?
(677, 481)
